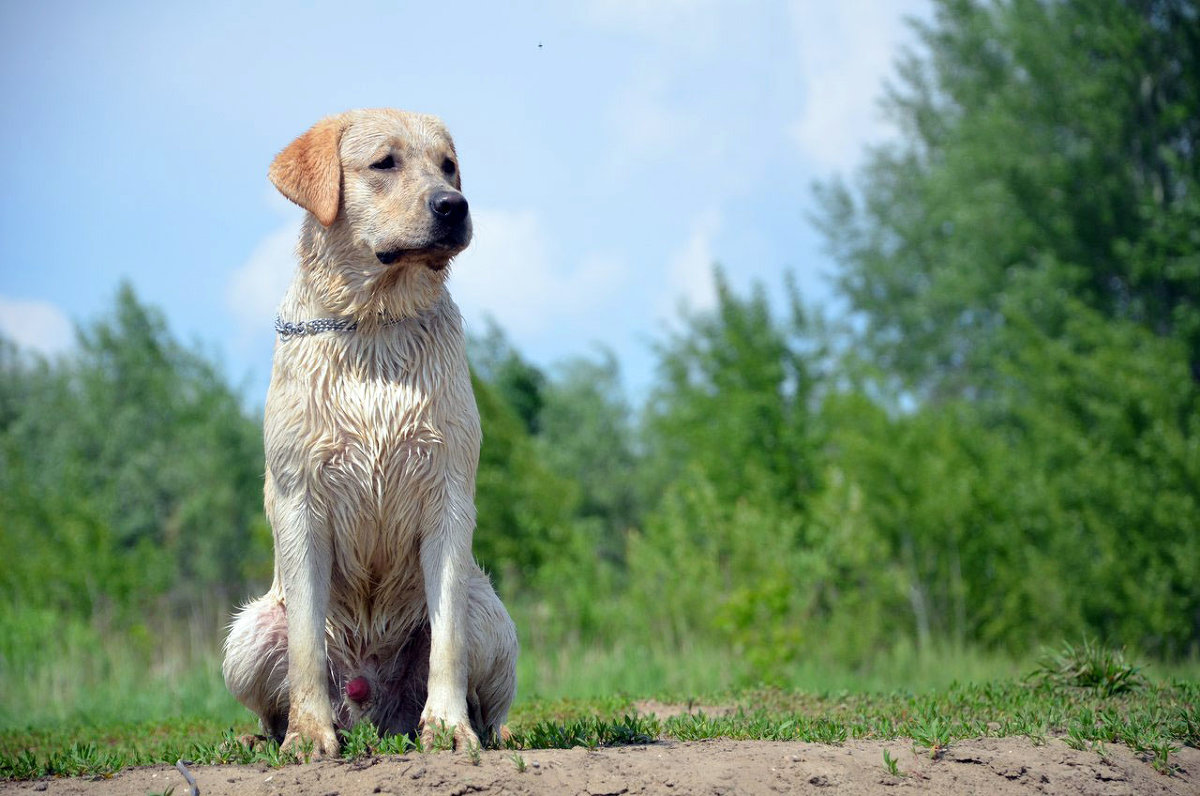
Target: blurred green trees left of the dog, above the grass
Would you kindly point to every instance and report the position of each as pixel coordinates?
(131, 474)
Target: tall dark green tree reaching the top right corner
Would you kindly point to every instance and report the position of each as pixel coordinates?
(1036, 136)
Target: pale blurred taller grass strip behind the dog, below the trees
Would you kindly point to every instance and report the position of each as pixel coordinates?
(70, 675)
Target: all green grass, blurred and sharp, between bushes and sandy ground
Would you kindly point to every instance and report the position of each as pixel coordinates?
(1088, 697)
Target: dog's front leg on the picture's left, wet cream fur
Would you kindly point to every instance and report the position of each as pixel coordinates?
(307, 561)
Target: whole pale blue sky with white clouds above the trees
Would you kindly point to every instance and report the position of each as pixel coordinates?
(611, 151)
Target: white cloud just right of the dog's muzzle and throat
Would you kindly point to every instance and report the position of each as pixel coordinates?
(511, 274)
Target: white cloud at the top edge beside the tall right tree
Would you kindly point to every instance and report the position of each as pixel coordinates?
(845, 51)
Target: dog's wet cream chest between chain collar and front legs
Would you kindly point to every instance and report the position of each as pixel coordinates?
(370, 445)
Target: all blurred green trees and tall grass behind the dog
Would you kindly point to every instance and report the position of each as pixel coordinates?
(994, 446)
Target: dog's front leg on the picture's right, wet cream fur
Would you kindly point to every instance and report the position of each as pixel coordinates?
(446, 565)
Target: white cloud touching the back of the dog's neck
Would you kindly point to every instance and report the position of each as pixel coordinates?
(259, 285)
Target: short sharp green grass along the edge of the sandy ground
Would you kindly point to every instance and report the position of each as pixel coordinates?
(1087, 699)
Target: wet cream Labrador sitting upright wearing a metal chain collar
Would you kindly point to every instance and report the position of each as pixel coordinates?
(377, 609)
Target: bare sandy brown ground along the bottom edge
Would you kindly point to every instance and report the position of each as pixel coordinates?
(722, 767)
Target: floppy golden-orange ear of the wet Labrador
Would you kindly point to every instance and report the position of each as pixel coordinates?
(310, 171)
